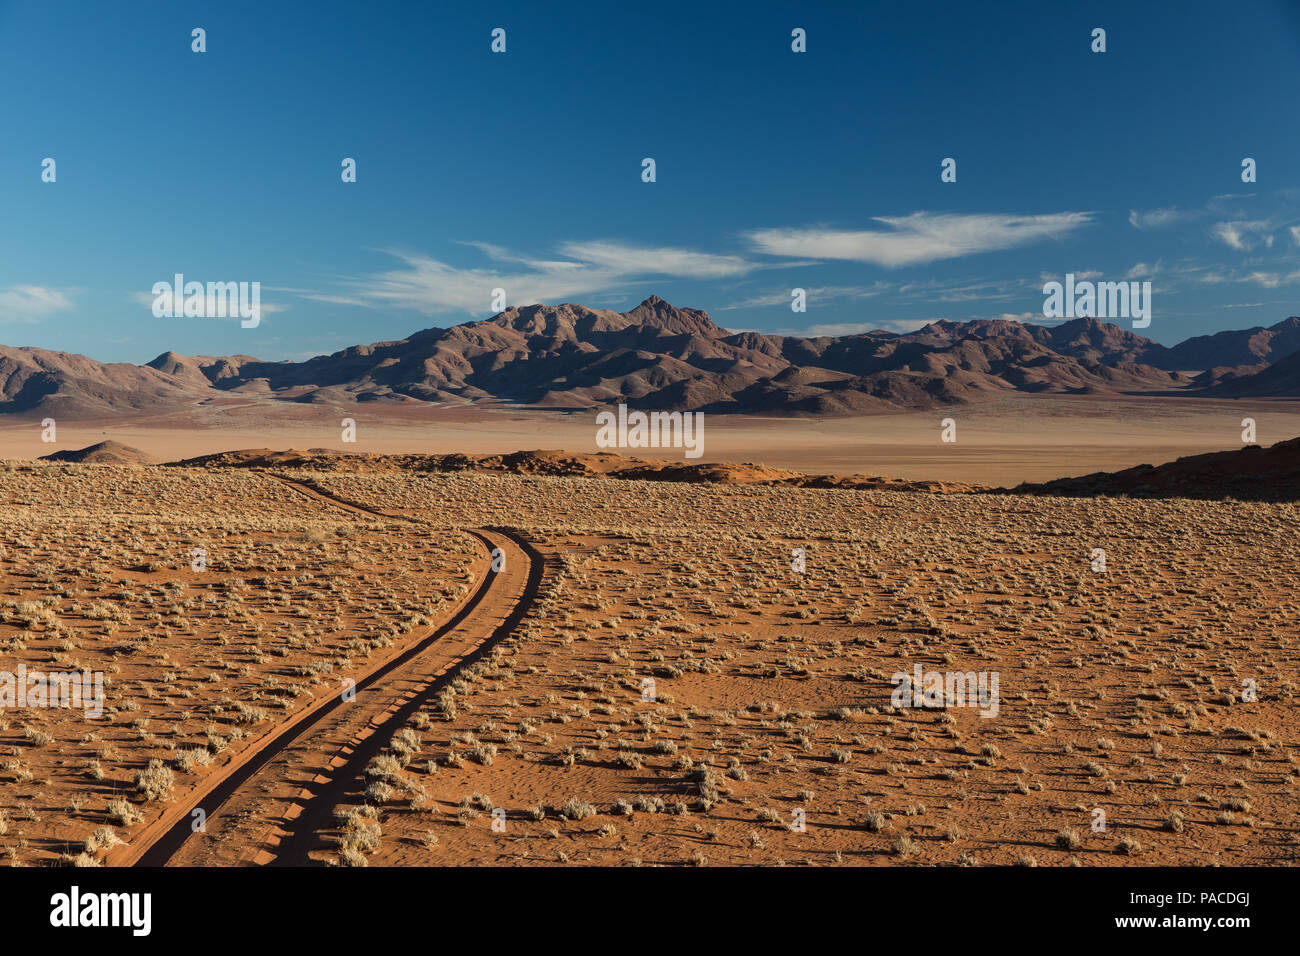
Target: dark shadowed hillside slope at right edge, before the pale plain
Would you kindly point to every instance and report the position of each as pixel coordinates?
(1249, 474)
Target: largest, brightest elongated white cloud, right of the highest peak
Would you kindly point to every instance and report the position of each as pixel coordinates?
(918, 239)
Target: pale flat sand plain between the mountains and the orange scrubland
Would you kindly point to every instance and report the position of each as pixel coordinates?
(1002, 442)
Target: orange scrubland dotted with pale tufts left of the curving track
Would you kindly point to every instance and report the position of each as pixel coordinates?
(99, 569)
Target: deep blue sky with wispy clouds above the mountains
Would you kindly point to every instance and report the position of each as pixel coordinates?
(523, 171)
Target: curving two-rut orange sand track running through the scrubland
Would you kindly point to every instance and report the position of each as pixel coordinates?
(268, 804)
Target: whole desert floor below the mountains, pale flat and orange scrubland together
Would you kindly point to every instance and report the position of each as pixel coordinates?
(380, 665)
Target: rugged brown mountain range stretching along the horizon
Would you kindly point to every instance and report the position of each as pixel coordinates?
(662, 357)
